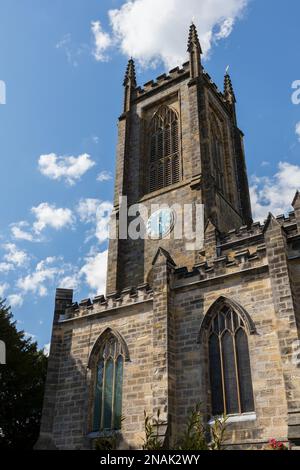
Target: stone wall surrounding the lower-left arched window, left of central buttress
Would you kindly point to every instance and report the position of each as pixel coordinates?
(73, 395)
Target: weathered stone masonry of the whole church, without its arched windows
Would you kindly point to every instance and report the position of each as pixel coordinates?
(159, 292)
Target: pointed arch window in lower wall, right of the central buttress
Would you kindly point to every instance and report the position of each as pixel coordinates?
(229, 363)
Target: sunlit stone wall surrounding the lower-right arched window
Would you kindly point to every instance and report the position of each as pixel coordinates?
(253, 292)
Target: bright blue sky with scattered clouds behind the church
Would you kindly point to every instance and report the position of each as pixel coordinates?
(63, 64)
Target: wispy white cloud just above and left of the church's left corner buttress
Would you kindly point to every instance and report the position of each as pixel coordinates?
(38, 280)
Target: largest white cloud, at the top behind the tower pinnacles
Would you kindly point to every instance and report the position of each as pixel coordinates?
(151, 30)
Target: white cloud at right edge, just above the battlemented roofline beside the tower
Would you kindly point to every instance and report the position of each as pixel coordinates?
(275, 194)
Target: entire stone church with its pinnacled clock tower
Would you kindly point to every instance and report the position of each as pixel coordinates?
(218, 325)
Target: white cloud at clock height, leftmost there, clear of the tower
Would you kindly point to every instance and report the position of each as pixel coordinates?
(48, 215)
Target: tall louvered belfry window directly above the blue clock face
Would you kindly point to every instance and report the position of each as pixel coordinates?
(165, 168)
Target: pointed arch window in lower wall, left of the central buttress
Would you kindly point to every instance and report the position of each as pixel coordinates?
(107, 406)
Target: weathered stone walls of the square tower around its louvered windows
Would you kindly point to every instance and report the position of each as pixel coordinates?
(194, 101)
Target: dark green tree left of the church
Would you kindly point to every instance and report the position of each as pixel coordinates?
(22, 382)
